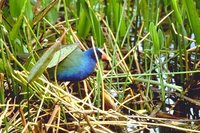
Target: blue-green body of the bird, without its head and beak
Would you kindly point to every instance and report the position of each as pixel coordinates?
(77, 67)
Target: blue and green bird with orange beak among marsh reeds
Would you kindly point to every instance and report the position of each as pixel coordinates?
(78, 65)
